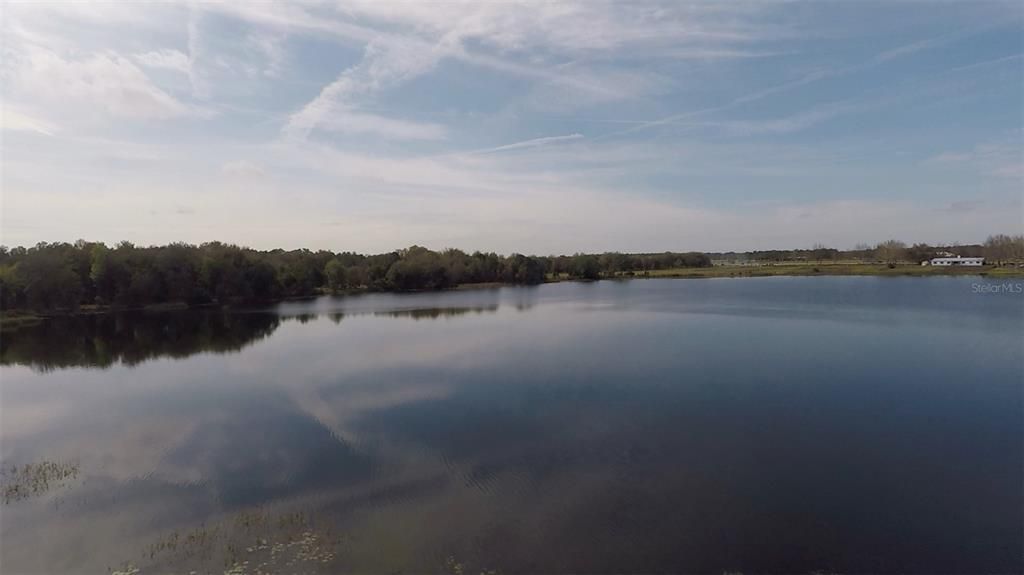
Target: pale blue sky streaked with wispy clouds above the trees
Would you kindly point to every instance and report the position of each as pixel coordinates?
(539, 128)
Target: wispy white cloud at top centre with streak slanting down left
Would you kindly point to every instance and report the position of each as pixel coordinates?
(417, 37)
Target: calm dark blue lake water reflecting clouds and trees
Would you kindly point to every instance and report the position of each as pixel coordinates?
(790, 425)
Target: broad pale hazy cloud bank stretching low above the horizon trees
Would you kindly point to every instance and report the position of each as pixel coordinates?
(324, 198)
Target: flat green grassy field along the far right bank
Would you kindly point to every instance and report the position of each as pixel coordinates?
(831, 269)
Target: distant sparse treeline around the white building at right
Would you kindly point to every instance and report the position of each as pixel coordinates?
(998, 249)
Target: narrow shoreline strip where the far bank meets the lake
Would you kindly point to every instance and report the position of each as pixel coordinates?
(17, 319)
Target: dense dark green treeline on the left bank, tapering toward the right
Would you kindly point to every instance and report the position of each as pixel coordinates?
(65, 277)
